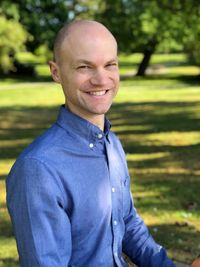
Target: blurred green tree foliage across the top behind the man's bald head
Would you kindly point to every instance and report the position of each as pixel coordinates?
(139, 26)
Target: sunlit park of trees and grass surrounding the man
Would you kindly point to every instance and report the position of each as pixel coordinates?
(156, 113)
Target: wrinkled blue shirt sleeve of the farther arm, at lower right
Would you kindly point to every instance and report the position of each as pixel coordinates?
(139, 245)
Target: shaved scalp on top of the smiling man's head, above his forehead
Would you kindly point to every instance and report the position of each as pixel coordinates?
(82, 27)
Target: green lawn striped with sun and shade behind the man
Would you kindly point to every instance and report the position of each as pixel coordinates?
(157, 119)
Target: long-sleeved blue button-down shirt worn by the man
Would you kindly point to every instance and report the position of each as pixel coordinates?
(69, 198)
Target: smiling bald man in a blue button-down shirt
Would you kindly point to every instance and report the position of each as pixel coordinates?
(68, 194)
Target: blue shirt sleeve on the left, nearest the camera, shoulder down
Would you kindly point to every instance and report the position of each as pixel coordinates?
(38, 212)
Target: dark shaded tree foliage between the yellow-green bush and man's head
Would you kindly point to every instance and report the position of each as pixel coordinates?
(42, 19)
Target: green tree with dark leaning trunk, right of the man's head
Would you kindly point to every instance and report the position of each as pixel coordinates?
(145, 26)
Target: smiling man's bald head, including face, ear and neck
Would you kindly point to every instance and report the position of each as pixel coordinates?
(86, 65)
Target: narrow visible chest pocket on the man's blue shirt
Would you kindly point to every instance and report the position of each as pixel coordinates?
(126, 199)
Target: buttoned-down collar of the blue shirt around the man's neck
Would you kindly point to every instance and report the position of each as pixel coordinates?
(72, 122)
